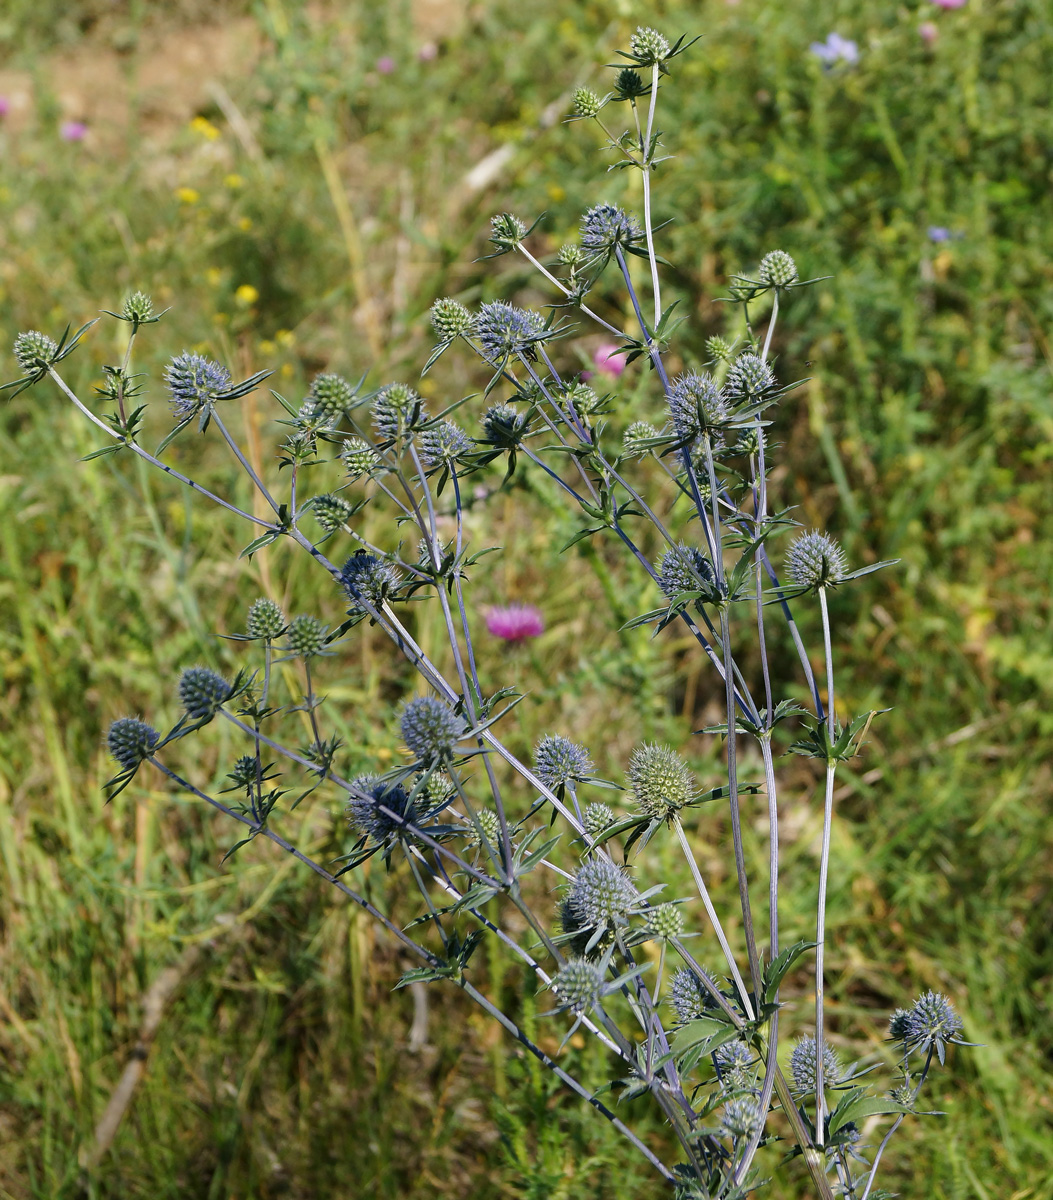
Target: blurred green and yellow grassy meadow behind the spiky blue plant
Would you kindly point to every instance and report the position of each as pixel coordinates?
(298, 206)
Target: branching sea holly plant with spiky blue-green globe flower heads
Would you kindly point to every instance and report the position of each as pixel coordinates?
(703, 1042)
